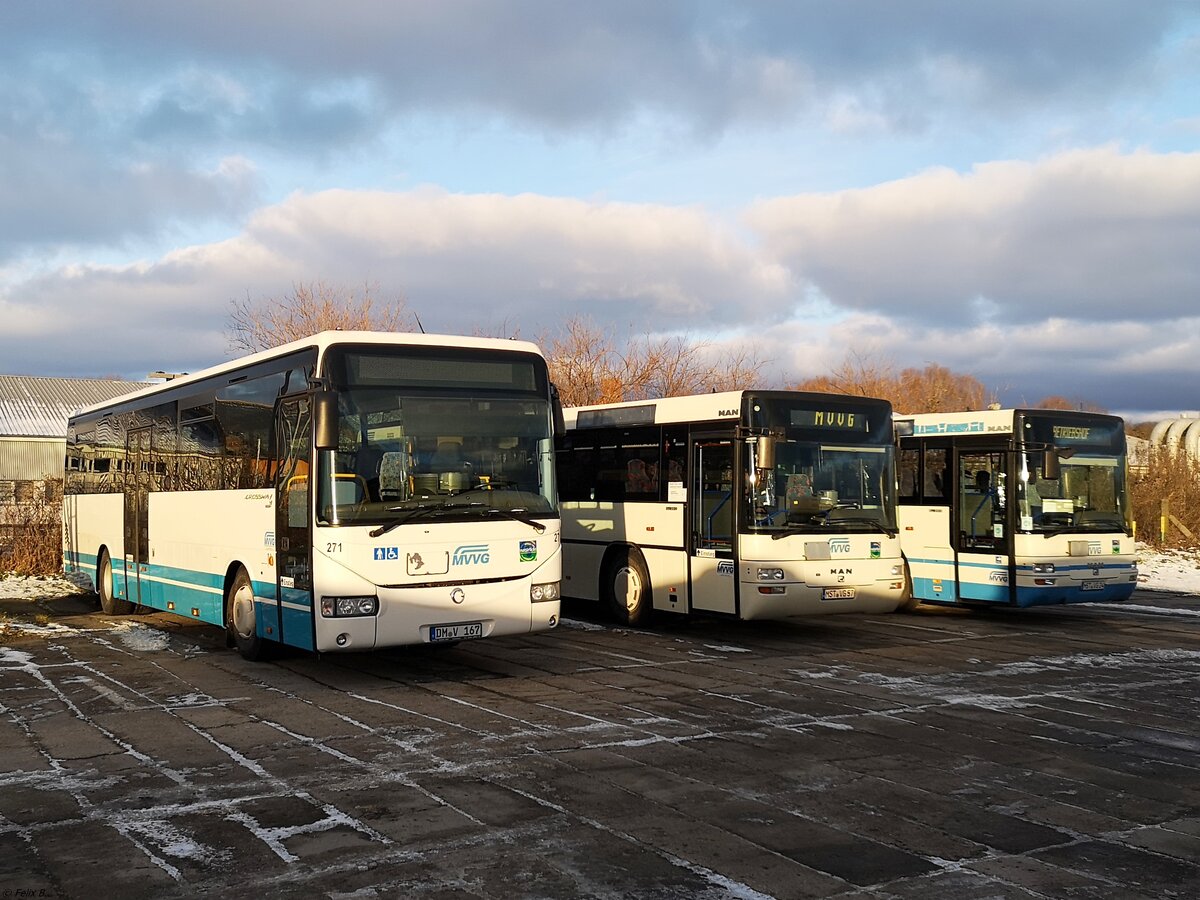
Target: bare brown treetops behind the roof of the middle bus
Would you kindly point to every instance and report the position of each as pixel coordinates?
(589, 365)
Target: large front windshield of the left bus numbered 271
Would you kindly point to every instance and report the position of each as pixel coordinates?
(446, 436)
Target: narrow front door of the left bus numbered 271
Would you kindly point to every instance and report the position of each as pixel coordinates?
(293, 524)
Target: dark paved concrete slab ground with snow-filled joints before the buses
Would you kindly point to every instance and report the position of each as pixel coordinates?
(940, 755)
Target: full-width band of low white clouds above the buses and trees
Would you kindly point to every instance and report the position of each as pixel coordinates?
(1023, 308)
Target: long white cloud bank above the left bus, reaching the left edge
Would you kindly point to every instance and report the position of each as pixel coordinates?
(464, 262)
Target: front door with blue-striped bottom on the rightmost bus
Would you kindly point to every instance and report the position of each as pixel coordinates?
(985, 537)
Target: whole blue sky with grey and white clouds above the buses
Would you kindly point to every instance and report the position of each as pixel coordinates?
(1010, 190)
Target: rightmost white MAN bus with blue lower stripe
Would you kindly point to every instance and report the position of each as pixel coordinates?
(1016, 508)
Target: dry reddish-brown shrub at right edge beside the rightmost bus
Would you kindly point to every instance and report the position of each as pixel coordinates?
(1175, 477)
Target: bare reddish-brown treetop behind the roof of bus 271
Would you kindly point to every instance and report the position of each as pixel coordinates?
(313, 308)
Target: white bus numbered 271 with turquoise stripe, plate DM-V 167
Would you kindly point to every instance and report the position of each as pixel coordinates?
(343, 493)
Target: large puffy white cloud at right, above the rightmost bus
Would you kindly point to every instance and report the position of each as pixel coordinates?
(1084, 235)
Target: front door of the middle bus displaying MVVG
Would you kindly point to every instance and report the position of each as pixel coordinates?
(713, 568)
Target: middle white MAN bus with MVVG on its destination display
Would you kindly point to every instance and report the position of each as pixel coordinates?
(751, 505)
